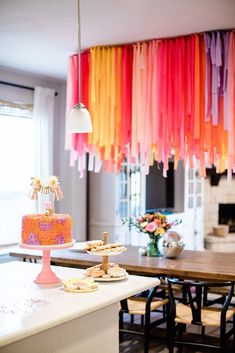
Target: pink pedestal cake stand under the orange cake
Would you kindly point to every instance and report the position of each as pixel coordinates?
(47, 276)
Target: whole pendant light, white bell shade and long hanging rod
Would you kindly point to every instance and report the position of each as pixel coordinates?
(79, 119)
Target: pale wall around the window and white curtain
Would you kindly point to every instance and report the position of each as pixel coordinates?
(74, 188)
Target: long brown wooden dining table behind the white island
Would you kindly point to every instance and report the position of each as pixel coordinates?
(204, 265)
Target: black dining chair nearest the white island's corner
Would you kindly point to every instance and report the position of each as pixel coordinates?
(144, 304)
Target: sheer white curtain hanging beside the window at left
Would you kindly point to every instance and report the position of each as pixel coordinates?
(43, 115)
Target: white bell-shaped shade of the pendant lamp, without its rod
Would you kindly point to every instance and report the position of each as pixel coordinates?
(79, 119)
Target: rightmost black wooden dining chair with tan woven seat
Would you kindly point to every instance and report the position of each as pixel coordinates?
(190, 311)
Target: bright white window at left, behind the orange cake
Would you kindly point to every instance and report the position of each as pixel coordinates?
(17, 157)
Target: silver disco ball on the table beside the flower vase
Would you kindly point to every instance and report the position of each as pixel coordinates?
(171, 244)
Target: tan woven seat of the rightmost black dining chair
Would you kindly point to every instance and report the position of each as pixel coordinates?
(209, 316)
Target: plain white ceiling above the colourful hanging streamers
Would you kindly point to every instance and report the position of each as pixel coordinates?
(38, 36)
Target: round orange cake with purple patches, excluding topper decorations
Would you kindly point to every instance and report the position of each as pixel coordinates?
(43, 229)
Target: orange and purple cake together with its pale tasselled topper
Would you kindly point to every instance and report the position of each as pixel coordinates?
(47, 228)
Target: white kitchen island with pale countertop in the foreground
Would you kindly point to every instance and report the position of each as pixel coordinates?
(43, 319)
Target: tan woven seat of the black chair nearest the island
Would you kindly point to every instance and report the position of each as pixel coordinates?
(137, 305)
